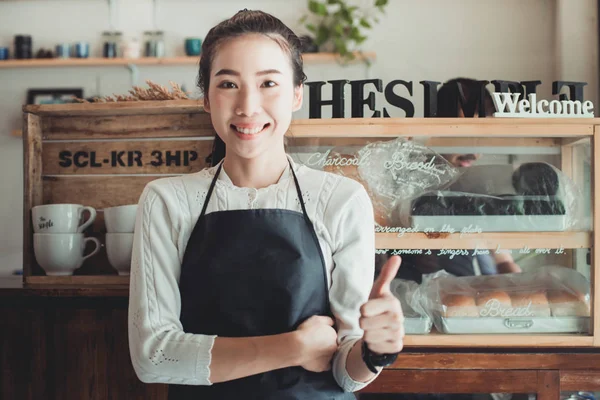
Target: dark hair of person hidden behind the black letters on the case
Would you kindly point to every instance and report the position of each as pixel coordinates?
(468, 95)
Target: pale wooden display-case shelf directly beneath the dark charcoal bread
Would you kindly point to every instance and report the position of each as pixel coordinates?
(486, 240)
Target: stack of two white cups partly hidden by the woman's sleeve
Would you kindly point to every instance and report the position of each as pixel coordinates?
(120, 224)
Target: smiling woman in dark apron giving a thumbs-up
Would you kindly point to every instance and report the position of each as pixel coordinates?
(254, 278)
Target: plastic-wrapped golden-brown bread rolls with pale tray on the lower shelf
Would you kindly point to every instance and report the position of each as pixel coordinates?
(546, 296)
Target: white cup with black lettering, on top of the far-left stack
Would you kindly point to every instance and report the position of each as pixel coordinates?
(61, 218)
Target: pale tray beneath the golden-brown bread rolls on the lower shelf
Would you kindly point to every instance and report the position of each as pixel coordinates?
(516, 325)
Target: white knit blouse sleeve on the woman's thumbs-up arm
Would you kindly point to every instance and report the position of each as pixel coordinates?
(353, 237)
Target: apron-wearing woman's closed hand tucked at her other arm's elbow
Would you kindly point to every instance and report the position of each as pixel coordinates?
(318, 343)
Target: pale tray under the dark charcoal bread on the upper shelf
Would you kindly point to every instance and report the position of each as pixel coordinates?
(492, 223)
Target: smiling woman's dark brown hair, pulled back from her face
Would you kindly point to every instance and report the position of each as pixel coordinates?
(245, 22)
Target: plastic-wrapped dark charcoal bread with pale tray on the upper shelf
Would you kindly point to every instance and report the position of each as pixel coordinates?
(532, 197)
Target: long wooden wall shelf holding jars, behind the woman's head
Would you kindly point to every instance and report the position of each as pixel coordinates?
(99, 61)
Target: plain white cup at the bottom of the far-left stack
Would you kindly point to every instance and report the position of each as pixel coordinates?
(62, 253)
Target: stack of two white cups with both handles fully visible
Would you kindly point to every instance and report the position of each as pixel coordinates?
(58, 239)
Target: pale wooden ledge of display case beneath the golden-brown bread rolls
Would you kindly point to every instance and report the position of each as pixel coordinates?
(436, 339)
